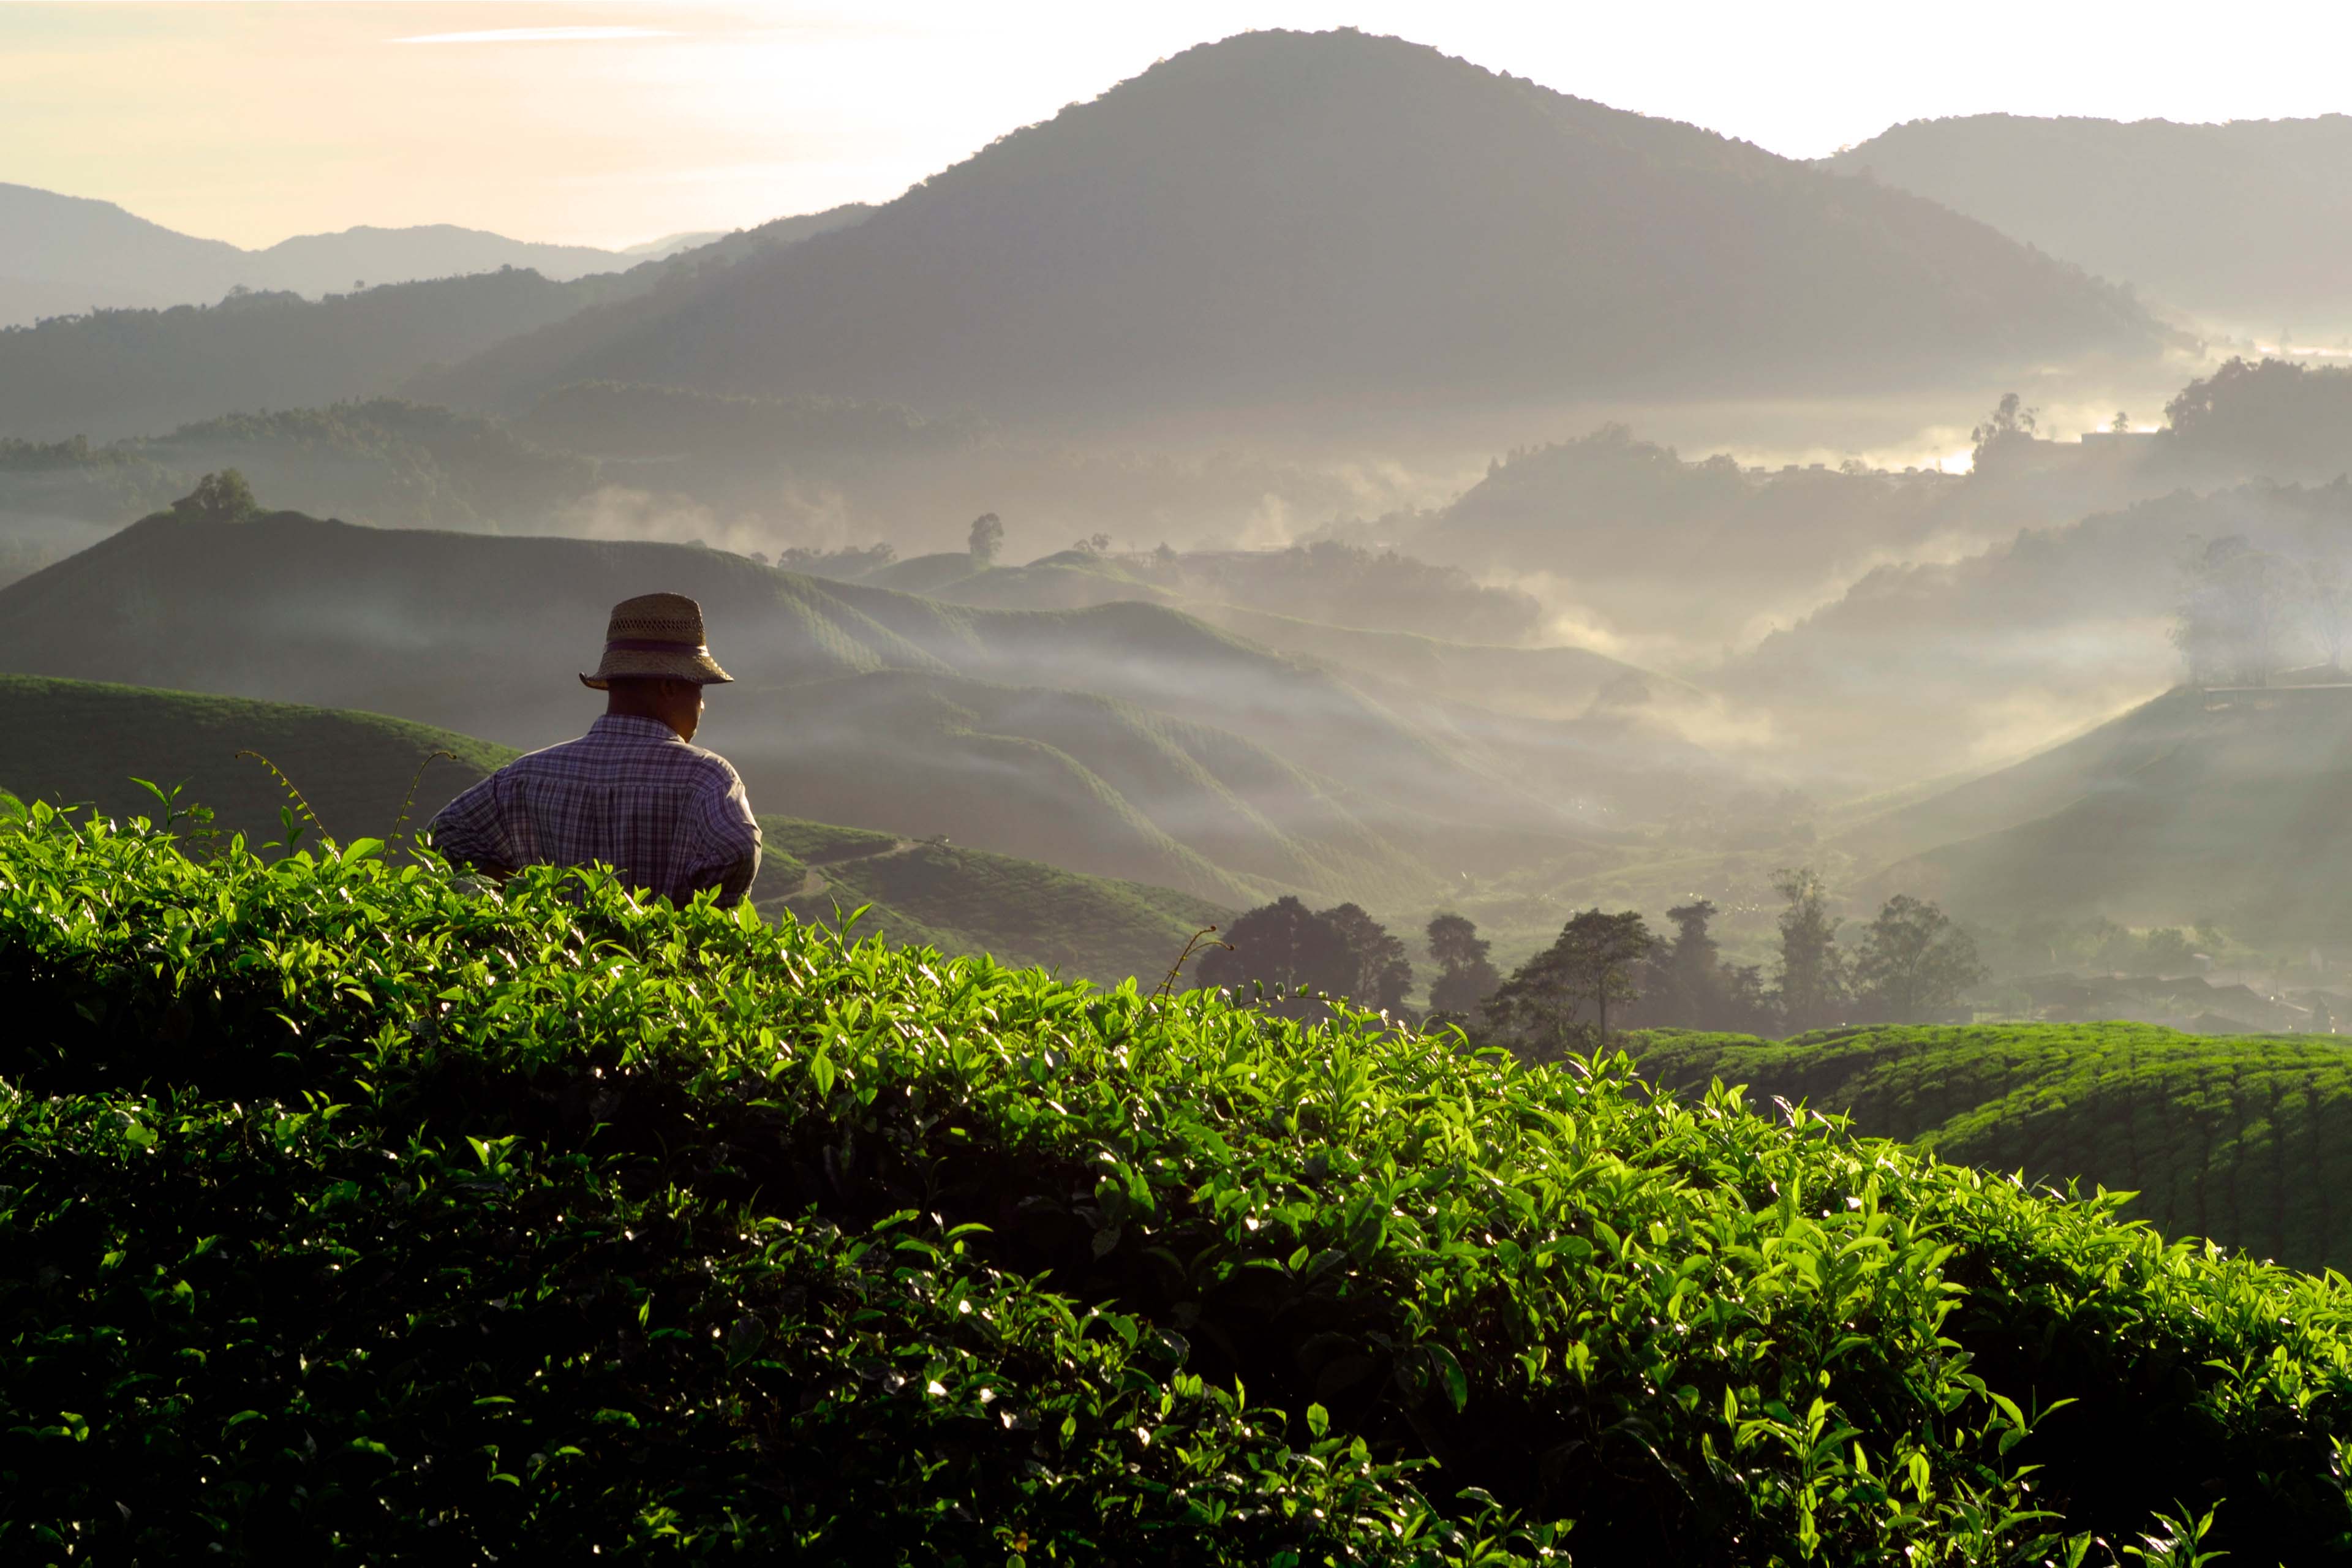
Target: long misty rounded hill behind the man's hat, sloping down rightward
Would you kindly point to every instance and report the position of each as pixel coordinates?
(486, 634)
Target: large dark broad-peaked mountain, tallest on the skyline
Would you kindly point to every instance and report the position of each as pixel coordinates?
(1299, 215)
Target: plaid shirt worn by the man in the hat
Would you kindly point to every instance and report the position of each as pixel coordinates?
(669, 817)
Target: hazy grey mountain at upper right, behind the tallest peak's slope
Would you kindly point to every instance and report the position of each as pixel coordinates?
(2243, 225)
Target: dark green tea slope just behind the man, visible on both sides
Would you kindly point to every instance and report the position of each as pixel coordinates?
(86, 744)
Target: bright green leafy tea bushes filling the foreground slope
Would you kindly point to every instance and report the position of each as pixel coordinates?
(356, 1212)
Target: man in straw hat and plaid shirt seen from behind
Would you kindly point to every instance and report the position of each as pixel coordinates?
(629, 793)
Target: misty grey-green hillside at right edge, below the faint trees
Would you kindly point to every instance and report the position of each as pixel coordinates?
(2193, 808)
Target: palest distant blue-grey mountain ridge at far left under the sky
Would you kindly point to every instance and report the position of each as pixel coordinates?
(65, 255)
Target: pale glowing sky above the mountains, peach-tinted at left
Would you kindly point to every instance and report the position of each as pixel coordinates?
(624, 121)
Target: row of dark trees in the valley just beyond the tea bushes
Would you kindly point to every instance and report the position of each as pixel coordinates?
(1612, 972)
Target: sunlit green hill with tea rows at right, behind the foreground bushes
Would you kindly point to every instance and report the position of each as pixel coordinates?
(2238, 1139)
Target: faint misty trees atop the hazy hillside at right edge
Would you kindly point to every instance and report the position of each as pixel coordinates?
(2250, 615)
